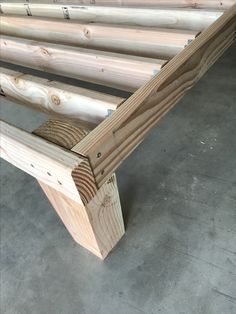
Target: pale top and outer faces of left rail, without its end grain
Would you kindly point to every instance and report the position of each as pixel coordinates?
(42, 160)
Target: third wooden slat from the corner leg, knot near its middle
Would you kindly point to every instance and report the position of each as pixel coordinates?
(147, 42)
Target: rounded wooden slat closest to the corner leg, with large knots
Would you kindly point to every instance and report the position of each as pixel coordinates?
(73, 103)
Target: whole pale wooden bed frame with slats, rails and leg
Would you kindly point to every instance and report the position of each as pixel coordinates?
(157, 50)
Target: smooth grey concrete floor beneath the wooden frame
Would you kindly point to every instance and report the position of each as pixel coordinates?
(178, 193)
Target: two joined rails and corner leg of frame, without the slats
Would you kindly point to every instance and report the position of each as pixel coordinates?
(76, 170)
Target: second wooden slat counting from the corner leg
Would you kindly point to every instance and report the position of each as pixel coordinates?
(110, 69)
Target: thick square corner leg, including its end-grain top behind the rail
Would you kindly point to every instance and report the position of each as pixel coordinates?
(96, 223)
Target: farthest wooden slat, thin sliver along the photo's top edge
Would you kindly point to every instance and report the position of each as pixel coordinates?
(214, 4)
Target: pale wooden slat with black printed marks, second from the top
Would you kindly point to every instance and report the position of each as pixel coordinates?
(168, 18)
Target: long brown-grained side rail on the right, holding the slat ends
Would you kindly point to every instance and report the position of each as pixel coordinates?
(116, 137)
